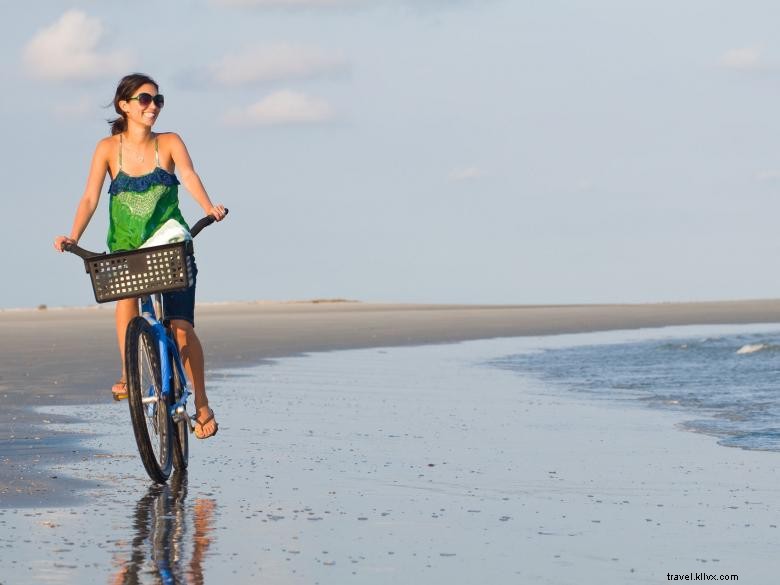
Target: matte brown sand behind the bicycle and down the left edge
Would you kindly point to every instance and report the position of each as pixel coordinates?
(69, 356)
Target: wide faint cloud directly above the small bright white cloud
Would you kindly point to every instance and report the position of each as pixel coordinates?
(280, 62)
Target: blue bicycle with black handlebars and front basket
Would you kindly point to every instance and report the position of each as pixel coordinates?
(157, 389)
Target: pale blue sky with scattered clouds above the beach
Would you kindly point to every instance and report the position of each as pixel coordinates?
(434, 151)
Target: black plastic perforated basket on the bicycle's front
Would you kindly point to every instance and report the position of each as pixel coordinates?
(156, 269)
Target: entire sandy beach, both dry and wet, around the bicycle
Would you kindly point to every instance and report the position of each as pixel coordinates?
(372, 443)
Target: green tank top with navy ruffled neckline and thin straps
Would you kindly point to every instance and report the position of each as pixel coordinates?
(140, 205)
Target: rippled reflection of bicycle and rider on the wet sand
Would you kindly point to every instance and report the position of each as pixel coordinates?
(161, 524)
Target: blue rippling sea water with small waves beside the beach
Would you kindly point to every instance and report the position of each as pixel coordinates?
(727, 379)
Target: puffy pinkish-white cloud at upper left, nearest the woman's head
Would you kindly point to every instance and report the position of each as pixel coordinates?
(70, 49)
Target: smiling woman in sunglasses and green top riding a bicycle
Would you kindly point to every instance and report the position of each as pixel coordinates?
(144, 196)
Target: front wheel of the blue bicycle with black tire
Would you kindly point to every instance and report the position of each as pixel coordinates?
(152, 424)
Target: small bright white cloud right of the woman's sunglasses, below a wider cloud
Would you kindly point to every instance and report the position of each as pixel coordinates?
(283, 107)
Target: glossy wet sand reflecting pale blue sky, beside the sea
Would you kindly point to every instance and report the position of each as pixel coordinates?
(406, 465)
